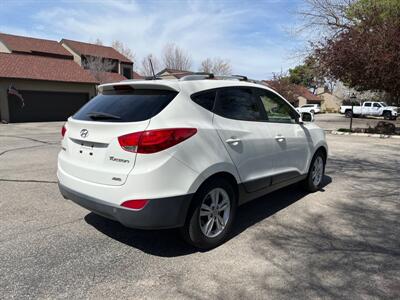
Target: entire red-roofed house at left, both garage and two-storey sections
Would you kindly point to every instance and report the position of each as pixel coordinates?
(44, 80)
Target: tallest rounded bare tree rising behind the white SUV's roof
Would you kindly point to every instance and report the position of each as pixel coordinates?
(176, 58)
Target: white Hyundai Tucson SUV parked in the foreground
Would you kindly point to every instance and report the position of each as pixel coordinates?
(164, 154)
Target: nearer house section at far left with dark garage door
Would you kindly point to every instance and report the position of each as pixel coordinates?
(39, 80)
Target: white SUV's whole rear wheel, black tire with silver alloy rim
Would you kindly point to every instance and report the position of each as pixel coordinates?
(195, 229)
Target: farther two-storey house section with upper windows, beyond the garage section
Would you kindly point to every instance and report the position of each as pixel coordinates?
(118, 67)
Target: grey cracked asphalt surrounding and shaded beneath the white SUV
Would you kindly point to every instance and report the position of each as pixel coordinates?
(341, 242)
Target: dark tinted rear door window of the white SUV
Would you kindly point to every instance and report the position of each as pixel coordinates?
(238, 103)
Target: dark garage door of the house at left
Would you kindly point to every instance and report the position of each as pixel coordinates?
(44, 106)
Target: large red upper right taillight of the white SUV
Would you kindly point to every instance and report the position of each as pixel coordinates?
(151, 141)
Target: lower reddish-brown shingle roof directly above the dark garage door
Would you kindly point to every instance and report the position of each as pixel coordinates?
(42, 68)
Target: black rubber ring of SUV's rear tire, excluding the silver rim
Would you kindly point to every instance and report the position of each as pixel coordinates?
(192, 230)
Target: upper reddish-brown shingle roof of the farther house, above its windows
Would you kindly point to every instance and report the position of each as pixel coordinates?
(95, 50)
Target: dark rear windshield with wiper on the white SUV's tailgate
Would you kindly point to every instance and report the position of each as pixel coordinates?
(125, 106)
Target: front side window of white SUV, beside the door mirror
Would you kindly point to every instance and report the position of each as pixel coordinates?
(276, 109)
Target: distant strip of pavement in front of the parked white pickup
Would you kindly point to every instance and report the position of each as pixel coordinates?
(336, 121)
